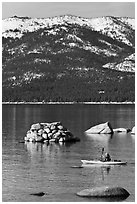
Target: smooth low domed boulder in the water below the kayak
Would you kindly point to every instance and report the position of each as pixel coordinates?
(104, 191)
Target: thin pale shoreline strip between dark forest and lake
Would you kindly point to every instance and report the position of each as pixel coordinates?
(44, 103)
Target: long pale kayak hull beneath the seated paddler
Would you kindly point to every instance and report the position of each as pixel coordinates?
(98, 162)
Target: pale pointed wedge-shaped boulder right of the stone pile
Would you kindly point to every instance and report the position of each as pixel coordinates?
(104, 128)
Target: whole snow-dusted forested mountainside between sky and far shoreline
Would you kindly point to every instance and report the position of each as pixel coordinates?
(68, 58)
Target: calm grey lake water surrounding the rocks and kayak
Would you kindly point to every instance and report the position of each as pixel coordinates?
(31, 168)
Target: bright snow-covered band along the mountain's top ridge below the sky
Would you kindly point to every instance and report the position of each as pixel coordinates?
(112, 26)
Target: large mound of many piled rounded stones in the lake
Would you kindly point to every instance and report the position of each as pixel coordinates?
(49, 132)
